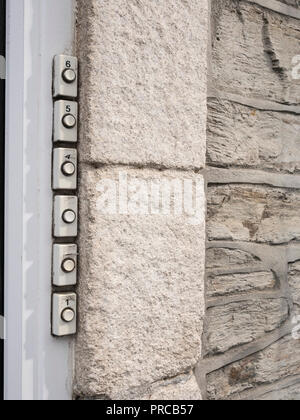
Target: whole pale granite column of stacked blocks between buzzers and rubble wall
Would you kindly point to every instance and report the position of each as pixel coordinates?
(143, 77)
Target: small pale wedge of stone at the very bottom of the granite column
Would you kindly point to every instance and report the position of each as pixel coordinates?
(183, 388)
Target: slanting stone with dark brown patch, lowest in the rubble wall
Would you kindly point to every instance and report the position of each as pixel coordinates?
(280, 360)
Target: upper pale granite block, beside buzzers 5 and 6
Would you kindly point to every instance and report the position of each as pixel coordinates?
(143, 81)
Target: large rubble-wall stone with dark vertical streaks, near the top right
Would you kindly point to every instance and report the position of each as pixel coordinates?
(252, 52)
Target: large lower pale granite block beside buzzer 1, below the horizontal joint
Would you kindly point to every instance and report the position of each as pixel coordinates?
(141, 289)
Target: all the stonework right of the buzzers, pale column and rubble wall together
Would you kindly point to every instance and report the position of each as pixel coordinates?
(162, 83)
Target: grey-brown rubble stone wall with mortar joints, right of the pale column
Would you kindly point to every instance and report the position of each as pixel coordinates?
(251, 345)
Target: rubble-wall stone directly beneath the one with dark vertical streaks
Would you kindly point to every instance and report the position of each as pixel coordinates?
(243, 137)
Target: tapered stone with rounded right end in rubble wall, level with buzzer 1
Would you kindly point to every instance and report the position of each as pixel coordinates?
(240, 323)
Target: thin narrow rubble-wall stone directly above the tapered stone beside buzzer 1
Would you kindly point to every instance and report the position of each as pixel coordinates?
(228, 284)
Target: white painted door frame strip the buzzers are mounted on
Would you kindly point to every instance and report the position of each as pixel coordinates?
(37, 366)
